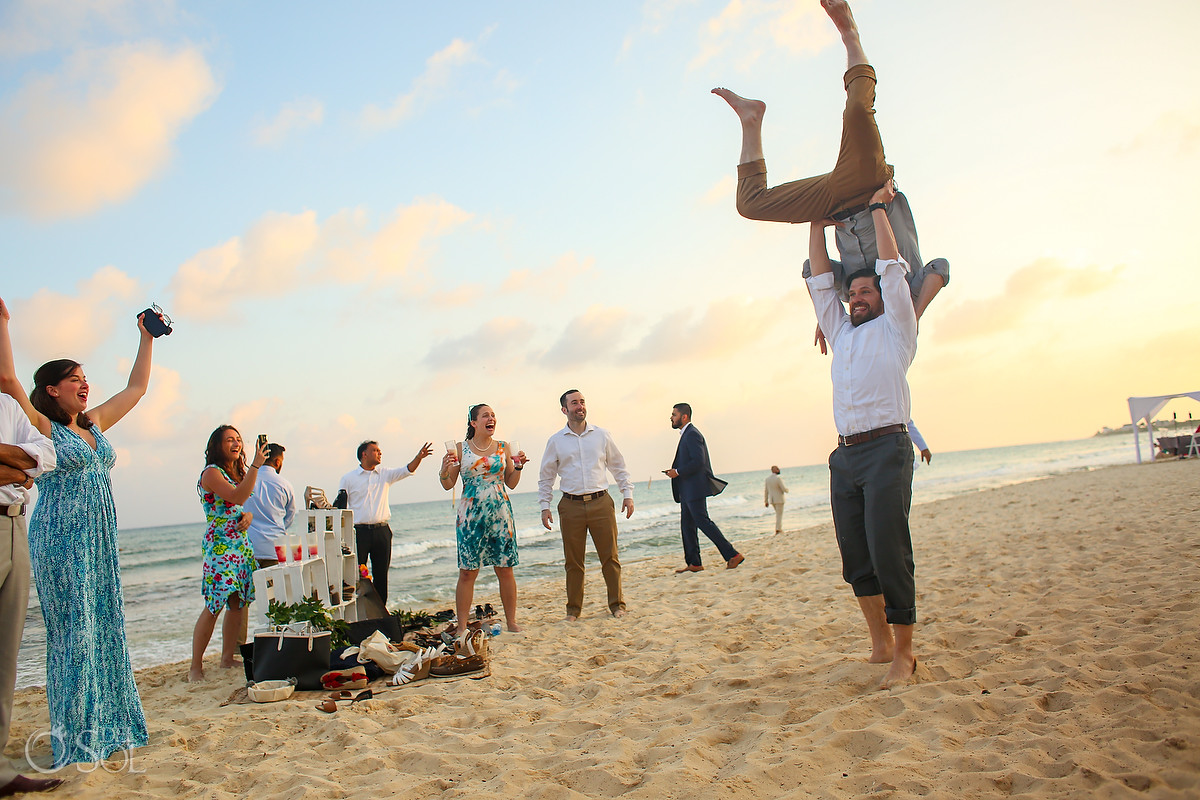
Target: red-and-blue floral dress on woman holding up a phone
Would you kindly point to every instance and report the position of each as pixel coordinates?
(229, 556)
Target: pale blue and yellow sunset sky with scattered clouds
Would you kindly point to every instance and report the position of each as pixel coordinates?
(363, 222)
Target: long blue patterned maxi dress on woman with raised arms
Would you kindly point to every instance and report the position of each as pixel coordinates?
(95, 709)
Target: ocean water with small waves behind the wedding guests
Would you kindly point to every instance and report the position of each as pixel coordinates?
(161, 567)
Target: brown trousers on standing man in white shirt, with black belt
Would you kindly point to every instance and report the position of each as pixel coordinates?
(577, 519)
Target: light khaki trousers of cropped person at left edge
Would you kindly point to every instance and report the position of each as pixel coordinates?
(14, 603)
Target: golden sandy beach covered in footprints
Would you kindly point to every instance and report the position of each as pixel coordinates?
(1058, 646)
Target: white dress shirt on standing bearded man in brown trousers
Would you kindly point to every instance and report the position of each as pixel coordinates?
(580, 461)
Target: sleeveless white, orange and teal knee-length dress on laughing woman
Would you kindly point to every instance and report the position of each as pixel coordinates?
(485, 530)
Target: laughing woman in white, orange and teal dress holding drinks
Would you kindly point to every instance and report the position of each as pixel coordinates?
(485, 530)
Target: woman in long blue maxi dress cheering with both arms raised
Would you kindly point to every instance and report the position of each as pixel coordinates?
(95, 709)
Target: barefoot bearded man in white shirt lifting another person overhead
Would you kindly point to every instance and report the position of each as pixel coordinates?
(871, 473)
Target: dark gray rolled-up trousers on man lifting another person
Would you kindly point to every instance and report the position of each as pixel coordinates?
(871, 491)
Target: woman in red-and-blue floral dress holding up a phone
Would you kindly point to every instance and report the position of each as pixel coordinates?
(229, 556)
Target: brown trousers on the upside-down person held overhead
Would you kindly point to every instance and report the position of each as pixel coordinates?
(860, 172)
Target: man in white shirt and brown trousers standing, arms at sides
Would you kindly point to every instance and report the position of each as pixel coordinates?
(579, 456)
